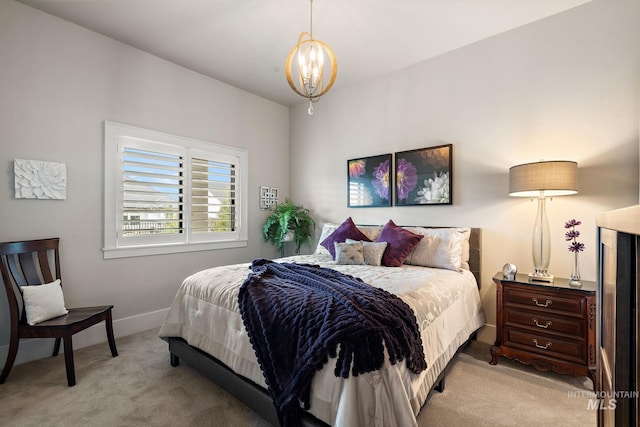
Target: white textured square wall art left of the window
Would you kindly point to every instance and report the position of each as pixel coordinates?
(40, 180)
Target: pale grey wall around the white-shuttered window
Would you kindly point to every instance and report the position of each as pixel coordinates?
(58, 83)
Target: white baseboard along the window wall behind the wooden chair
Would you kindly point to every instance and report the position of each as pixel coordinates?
(33, 349)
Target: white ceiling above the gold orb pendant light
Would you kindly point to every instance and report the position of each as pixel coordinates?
(245, 42)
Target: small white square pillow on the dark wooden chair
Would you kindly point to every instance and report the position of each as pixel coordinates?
(43, 302)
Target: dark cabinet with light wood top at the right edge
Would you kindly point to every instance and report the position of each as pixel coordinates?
(617, 377)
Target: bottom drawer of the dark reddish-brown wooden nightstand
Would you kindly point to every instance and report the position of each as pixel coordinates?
(572, 351)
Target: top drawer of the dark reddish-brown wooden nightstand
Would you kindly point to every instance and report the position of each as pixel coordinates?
(545, 300)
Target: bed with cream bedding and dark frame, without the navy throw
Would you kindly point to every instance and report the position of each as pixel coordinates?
(205, 329)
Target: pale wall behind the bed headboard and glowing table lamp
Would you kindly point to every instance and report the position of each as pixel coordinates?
(564, 88)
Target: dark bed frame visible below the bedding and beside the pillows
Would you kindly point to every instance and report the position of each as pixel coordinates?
(256, 397)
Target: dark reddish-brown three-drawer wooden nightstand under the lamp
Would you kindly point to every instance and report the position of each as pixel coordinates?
(550, 326)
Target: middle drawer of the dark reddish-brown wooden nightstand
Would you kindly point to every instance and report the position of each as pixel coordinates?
(543, 322)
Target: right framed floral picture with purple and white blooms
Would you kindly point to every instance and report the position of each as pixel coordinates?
(423, 176)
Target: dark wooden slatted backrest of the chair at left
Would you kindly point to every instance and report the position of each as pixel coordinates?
(27, 263)
